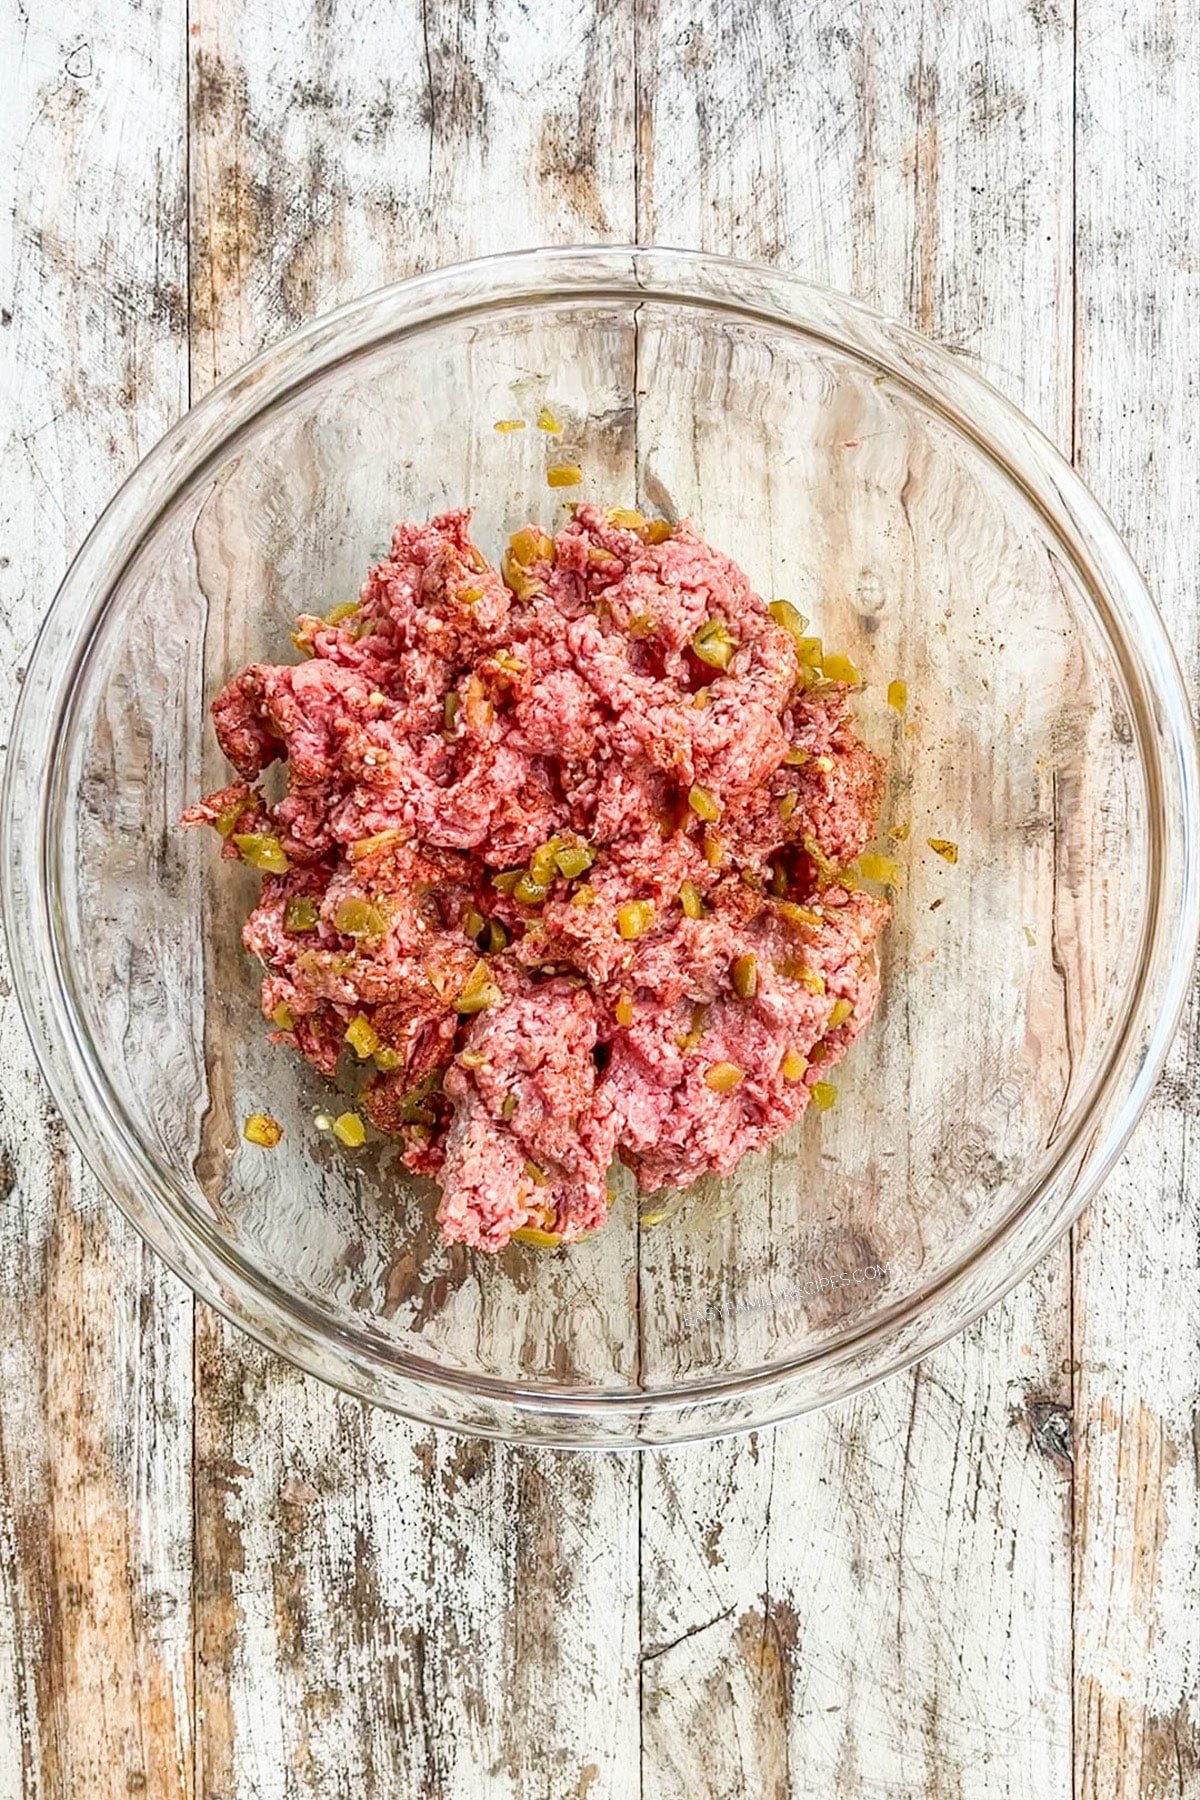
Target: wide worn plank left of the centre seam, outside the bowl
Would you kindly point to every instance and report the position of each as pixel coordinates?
(382, 1612)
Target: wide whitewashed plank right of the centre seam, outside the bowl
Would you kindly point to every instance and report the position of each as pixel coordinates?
(877, 1599)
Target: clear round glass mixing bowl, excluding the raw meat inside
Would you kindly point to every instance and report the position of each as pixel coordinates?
(927, 530)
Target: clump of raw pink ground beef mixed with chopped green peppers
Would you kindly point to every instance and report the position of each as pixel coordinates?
(562, 859)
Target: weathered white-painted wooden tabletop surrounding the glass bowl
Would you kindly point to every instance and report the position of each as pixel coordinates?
(222, 1581)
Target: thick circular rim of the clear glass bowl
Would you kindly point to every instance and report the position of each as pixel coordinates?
(359, 1360)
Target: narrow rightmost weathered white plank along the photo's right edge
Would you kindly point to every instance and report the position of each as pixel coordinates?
(1138, 1250)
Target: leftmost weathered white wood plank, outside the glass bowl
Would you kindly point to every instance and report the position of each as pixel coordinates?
(94, 1335)
